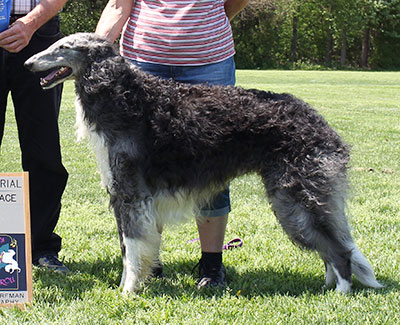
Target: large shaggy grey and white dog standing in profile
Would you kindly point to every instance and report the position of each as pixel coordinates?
(165, 148)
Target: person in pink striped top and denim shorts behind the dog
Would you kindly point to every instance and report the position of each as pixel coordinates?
(189, 41)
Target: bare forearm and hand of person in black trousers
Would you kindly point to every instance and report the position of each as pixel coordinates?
(19, 34)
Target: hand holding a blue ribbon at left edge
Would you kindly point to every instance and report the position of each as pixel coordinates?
(16, 37)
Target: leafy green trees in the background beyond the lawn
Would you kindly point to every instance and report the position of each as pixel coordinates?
(296, 34)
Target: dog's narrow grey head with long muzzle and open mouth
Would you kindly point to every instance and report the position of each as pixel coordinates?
(69, 57)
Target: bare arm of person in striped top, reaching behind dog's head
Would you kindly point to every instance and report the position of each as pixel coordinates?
(113, 19)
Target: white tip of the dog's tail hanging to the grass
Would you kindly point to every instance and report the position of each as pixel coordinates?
(362, 270)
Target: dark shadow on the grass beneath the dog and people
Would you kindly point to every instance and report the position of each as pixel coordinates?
(180, 281)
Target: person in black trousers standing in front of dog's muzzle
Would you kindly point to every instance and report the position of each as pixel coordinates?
(34, 26)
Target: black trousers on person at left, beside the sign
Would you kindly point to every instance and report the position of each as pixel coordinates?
(36, 112)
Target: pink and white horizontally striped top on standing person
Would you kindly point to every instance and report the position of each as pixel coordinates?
(178, 32)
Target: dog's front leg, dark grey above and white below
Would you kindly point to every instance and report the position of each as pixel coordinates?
(137, 225)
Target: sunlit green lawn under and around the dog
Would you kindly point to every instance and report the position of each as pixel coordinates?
(270, 280)
